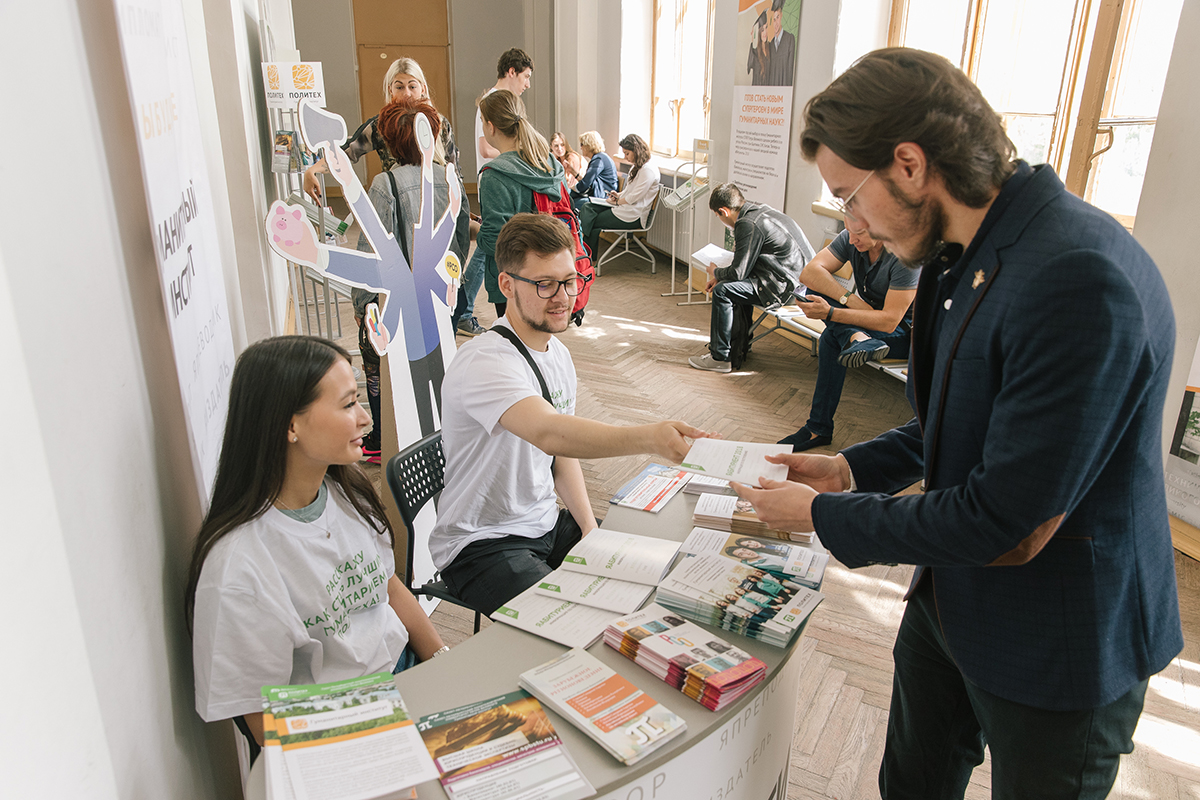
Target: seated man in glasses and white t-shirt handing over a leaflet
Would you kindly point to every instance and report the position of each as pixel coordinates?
(509, 453)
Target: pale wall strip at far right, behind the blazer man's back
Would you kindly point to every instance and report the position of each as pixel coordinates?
(1168, 207)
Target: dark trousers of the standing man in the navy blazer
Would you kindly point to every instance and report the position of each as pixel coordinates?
(939, 724)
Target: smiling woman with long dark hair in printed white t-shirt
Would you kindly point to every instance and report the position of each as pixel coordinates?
(292, 580)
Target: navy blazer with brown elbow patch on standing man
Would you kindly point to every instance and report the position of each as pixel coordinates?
(1039, 392)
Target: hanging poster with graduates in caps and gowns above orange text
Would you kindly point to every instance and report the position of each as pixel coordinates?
(764, 75)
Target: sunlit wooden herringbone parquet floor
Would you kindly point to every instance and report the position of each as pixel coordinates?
(631, 357)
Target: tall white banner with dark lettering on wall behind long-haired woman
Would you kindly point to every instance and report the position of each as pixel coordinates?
(166, 118)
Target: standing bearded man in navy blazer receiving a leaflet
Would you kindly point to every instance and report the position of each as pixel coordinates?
(1045, 596)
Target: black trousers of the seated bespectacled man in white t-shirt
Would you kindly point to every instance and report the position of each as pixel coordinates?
(490, 573)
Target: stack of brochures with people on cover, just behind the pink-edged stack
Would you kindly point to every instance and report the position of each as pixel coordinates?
(718, 591)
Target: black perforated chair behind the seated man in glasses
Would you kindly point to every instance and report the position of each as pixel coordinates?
(417, 476)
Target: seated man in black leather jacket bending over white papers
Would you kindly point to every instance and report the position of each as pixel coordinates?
(770, 251)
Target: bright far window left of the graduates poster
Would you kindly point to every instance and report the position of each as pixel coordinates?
(682, 75)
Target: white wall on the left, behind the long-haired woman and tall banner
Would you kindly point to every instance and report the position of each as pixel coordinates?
(97, 478)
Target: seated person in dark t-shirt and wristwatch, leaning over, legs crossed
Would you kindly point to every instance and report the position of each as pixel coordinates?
(867, 323)
